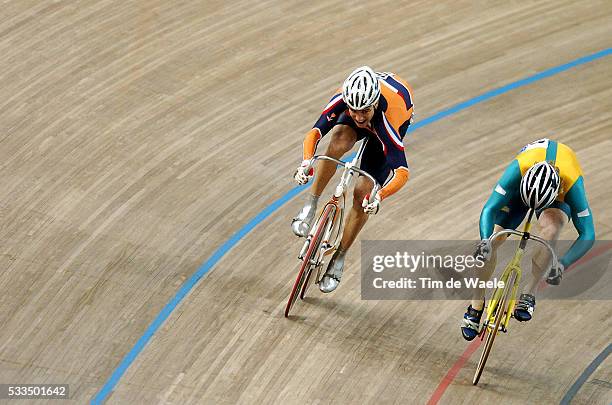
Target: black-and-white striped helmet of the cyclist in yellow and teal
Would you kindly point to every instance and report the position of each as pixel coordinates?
(540, 186)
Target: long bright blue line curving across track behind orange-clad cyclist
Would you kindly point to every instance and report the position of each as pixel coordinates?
(231, 242)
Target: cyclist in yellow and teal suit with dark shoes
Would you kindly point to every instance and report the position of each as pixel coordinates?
(547, 177)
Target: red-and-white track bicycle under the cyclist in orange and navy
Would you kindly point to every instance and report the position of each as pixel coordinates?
(326, 232)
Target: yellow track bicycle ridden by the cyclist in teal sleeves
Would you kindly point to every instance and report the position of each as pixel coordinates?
(502, 302)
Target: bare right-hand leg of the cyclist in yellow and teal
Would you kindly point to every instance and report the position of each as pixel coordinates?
(551, 222)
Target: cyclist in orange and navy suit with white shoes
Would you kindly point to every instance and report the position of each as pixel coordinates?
(372, 105)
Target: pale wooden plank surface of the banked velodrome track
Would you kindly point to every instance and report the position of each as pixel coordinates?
(137, 137)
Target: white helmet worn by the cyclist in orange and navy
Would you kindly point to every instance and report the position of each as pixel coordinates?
(361, 88)
